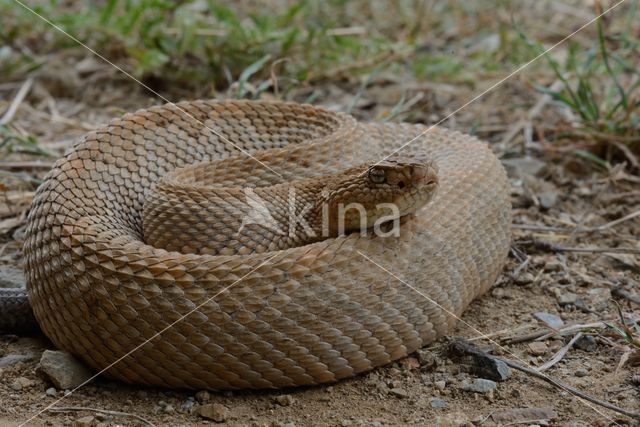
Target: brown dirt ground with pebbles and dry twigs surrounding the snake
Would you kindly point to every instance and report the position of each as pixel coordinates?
(558, 202)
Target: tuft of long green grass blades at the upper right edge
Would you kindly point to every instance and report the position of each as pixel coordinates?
(601, 86)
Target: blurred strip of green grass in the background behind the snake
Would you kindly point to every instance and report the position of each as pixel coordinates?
(218, 43)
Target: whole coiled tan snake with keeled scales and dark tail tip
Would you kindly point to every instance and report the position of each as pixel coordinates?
(137, 263)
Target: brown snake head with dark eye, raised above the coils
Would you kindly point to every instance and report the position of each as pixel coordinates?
(386, 190)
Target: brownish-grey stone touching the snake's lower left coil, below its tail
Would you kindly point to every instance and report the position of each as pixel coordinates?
(64, 371)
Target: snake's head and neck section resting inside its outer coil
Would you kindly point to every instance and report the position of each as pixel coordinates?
(218, 220)
